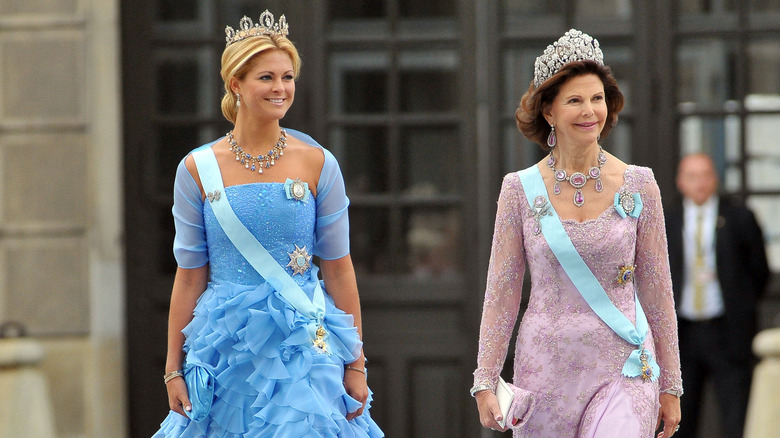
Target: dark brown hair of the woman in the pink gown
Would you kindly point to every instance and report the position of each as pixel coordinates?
(530, 114)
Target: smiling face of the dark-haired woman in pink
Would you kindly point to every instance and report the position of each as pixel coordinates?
(579, 111)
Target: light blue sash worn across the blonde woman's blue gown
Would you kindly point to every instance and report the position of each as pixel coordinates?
(252, 250)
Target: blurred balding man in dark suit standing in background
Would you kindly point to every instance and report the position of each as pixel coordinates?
(719, 271)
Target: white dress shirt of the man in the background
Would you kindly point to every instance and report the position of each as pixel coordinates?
(713, 299)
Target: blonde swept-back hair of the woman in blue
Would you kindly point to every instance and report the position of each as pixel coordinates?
(237, 60)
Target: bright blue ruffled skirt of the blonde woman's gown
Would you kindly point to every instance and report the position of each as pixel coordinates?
(270, 382)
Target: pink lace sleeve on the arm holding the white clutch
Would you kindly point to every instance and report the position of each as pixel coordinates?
(504, 286)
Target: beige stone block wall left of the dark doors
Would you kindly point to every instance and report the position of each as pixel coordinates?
(60, 202)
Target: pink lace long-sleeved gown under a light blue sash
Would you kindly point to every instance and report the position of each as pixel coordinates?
(565, 355)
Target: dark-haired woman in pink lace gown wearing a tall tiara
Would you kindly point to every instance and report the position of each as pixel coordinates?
(574, 375)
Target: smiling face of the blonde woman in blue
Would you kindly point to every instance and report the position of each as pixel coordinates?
(268, 88)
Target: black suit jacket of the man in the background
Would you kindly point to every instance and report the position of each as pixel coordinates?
(741, 266)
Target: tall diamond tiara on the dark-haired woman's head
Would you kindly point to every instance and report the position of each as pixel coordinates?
(572, 46)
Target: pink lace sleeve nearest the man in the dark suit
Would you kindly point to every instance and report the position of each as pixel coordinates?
(654, 283)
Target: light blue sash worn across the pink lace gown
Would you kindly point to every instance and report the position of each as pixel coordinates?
(588, 285)
